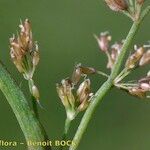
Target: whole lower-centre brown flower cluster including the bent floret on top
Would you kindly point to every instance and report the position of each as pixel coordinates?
(75, 94)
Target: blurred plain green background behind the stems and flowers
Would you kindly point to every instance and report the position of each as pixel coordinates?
(64, 30)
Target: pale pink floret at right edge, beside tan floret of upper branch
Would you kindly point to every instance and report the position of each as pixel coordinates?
(145, 58)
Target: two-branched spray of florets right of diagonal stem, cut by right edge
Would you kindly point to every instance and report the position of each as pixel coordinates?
(141, 87)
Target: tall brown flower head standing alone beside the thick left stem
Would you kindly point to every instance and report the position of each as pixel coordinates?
(23, 51)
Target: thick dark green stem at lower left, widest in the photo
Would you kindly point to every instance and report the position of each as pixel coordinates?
(29, 124)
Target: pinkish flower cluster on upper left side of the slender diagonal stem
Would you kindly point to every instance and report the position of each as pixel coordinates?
(111, 51)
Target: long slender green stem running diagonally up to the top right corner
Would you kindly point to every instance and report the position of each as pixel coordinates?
(108, 84)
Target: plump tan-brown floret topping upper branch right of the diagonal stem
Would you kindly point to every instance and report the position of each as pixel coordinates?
(134, 58)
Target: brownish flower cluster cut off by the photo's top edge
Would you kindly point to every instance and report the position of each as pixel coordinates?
(132, 8)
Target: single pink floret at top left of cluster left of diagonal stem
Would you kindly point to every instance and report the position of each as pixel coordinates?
(103, 41)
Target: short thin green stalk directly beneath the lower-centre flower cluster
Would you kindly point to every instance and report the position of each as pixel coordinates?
(66, 129)
